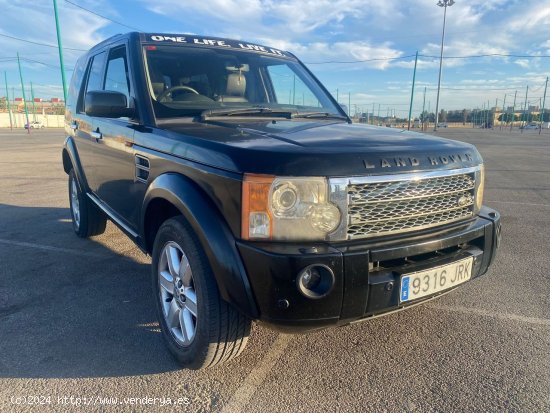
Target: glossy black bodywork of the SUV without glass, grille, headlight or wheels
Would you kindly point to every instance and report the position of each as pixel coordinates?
(197, 168)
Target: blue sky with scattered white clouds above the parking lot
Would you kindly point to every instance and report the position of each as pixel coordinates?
(320, 33)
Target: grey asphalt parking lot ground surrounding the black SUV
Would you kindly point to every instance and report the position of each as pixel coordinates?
(77, 317)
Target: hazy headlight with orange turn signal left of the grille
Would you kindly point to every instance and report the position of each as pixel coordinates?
(280, 208)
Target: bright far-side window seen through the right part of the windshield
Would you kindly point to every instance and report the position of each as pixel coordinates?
(289, 88)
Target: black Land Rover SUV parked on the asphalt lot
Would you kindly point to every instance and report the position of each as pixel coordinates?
(256, 196)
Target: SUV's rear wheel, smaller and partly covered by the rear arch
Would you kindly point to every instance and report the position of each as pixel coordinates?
(88, 220)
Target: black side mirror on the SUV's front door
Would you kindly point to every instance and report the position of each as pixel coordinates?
(107, 104)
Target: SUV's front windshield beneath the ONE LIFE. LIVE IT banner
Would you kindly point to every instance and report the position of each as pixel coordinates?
(185, 81)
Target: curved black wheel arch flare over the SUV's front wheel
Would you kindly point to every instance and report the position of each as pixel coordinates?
(213, 233)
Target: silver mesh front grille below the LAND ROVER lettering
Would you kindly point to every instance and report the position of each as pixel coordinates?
(383, 205)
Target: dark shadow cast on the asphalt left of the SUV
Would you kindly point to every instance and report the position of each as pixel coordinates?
(71, 307)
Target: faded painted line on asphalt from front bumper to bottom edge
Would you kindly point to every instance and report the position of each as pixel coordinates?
(244, 393)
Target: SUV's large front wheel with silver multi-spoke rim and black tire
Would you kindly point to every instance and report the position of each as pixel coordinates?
(199, 328)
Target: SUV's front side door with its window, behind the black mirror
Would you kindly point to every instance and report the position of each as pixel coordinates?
(114, 172)
